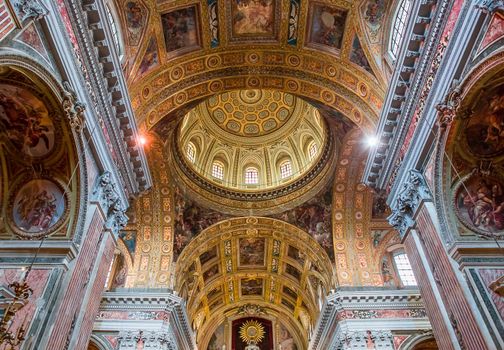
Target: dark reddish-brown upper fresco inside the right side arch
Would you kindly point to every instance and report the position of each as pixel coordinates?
(485, 129)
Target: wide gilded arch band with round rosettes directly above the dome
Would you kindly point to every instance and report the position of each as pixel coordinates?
(173, 88)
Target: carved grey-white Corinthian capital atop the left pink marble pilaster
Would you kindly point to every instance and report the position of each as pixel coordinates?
(105, 192)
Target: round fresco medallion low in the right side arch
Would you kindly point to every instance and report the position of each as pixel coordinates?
(479, 203)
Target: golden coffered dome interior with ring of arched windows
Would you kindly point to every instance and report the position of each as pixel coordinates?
(280, 137)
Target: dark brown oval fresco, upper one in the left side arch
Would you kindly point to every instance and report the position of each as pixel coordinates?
(25, 120)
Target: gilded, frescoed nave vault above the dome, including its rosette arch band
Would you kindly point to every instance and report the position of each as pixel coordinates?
(193, 50)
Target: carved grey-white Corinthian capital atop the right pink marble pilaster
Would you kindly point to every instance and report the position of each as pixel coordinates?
(411, 195)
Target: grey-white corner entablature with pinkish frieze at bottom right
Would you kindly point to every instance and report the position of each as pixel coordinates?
(346, 312)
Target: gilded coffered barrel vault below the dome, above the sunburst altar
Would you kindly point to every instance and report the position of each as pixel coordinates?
(225, 245)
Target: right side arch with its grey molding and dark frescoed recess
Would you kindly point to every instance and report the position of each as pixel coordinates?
(469, 101)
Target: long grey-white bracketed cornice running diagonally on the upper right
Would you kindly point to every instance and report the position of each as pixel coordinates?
(406, 89)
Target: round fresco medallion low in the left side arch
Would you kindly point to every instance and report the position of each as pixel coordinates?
(38, 206)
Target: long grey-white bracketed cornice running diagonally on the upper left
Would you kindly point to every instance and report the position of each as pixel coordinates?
(111, 92)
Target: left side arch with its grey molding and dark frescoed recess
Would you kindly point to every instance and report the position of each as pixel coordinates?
(54, 140)
